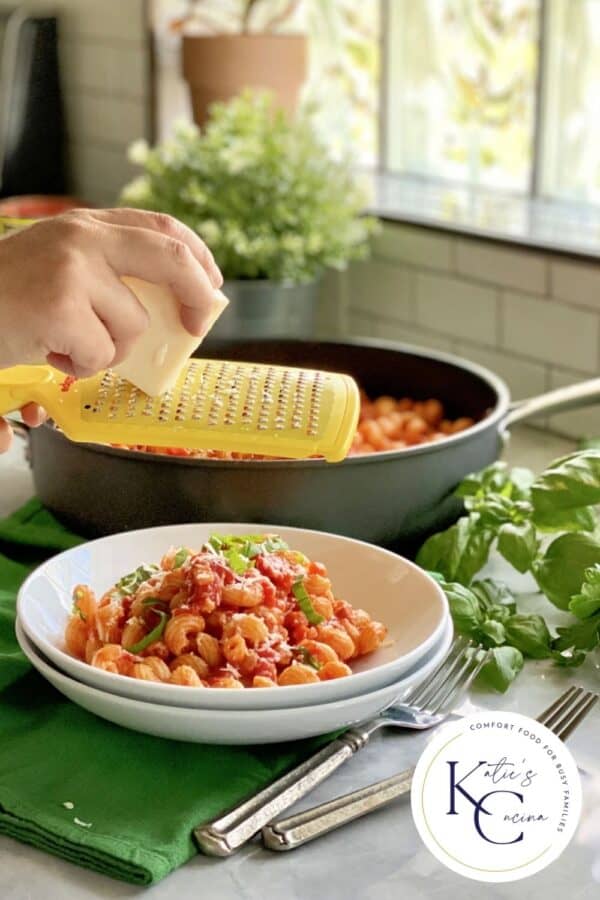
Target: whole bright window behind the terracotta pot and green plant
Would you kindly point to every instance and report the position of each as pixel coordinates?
(498, 94)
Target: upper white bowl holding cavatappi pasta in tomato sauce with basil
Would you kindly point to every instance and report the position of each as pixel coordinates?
(225, 616)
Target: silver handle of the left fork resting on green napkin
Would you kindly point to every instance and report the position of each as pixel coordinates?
(225, 835)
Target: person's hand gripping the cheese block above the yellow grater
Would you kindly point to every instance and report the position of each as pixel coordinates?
(62, 300)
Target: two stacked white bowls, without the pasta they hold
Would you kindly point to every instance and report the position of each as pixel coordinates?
(391, 589)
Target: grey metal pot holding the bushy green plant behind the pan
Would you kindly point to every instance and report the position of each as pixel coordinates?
(266, 309)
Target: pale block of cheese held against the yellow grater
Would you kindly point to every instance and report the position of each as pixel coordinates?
(160, 353)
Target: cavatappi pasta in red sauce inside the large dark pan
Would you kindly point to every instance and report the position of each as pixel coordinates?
(384, 424)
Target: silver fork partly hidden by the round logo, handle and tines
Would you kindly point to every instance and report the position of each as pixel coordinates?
(562, 717)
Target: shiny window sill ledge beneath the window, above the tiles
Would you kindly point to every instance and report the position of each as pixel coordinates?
(569, 229)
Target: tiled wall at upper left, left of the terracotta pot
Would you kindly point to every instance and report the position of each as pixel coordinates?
(105, 65)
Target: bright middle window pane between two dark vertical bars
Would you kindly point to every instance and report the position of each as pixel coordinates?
(461, 90)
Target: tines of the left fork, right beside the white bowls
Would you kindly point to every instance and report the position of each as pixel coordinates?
(452, 677)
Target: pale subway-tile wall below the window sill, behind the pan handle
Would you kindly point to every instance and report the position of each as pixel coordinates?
(533, 317)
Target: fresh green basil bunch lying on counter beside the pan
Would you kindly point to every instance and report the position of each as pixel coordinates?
(547, 526)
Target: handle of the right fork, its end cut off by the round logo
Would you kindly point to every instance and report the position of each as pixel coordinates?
(287, 834)
